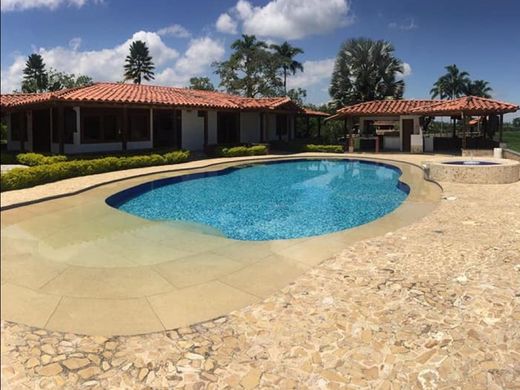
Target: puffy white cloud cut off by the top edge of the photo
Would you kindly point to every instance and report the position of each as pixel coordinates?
(288, 19)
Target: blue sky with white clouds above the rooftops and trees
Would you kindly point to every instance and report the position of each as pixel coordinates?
(185, 37)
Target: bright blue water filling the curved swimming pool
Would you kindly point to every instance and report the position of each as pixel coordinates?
(271, 201)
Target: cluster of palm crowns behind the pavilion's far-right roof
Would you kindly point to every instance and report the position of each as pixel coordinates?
(456, 83)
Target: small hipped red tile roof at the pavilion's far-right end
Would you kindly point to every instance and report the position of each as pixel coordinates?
(470, 105)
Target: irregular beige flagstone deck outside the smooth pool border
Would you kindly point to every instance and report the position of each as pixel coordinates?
(435, 304)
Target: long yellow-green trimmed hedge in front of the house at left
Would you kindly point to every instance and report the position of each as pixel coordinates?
(19, 178)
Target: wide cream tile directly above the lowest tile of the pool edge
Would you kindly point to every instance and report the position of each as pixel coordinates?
(109, 283)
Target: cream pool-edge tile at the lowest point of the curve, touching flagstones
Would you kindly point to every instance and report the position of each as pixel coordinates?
(104, 317)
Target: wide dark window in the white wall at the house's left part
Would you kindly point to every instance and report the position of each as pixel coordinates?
(100, 125)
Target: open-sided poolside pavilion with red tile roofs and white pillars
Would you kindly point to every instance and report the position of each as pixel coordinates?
(401, 125)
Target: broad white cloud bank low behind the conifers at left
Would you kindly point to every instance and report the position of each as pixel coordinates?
(107, 64)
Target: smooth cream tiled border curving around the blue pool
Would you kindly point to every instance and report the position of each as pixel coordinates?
(62, 305)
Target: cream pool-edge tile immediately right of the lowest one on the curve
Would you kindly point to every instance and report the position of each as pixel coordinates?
(199, 303)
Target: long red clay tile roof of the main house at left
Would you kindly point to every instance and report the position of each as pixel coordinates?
(150, 95)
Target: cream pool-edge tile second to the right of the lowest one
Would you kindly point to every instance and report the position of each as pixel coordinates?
(266, 276)
